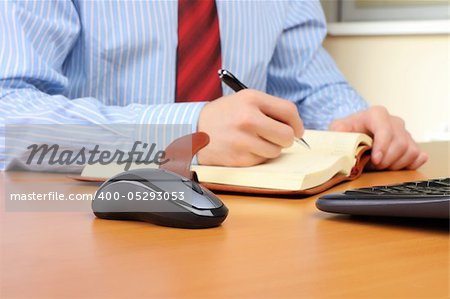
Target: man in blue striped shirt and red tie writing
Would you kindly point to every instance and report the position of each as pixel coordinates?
(155, 62)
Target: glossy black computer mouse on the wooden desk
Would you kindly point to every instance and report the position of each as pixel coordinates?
(160, 197)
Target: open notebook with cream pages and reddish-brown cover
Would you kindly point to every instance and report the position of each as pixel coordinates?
(333, 157)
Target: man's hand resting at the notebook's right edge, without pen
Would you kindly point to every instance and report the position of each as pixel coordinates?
(393, 147)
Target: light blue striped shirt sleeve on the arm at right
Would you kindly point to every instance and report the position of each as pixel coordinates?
(303, 72)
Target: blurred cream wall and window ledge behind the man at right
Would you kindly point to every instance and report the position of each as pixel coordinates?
(396, 53)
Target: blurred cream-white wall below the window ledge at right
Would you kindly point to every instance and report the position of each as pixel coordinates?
(410, 75)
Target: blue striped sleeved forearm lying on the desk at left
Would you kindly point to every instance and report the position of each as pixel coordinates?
(33, 117)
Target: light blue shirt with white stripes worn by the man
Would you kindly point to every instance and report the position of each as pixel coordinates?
(114, 62)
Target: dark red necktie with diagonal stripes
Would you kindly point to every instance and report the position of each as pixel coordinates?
(198, 53)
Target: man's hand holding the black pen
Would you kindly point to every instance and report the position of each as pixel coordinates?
(247, 128)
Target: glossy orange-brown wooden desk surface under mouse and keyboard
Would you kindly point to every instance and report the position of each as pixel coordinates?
(268, 247)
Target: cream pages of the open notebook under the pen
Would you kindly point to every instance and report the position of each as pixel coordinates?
(298, 167)
